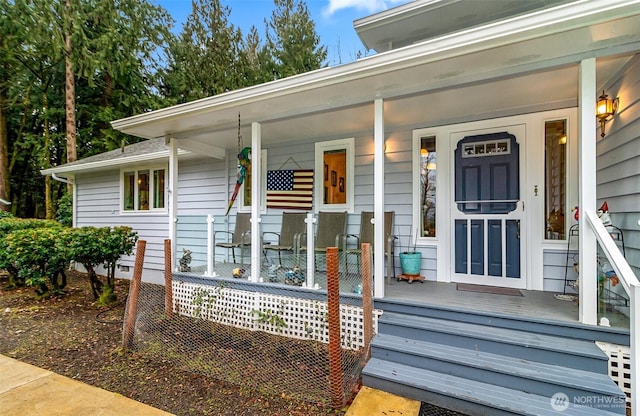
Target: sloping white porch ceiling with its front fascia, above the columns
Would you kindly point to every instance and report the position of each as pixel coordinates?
(433, 83)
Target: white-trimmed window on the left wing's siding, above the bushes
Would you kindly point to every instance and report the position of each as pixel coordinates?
(143, 189)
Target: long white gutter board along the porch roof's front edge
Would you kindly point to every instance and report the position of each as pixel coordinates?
(545, 22)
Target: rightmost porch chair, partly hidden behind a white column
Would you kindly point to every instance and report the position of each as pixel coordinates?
(367, 236)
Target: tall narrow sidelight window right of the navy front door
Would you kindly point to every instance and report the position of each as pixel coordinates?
(555, 160)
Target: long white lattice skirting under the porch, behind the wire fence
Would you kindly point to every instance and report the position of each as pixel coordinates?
(282, 315)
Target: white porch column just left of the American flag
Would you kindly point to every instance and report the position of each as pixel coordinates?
(256, 170)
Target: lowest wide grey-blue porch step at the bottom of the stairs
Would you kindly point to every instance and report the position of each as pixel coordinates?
(461, 394)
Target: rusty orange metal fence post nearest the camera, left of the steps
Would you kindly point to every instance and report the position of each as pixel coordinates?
(333, 309)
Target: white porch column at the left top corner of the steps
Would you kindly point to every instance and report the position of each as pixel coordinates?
(378, 198)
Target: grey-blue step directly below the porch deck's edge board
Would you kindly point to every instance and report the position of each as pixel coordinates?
(571, 353)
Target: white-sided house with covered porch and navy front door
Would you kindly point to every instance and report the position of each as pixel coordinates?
(475, 123)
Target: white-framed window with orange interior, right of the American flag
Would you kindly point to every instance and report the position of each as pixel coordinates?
(334, 175)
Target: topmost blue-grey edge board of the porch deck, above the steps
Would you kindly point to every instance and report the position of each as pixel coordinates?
(574, 330)
